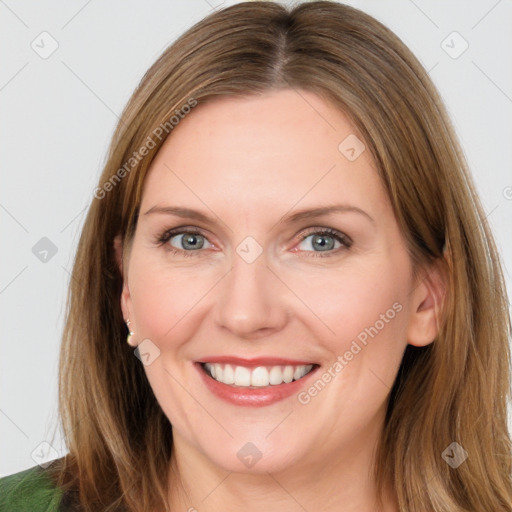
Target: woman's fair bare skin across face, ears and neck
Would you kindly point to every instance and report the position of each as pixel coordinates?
(248, 163)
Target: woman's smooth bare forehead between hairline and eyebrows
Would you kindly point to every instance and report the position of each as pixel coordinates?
(276, 149)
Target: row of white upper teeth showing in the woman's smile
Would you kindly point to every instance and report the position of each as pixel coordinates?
(260, 376)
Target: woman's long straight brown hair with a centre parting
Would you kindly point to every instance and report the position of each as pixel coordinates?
(454, 390)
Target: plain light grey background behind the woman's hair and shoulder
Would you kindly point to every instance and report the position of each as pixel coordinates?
(59, 112)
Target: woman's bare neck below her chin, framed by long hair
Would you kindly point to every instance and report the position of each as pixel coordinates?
(344, 481)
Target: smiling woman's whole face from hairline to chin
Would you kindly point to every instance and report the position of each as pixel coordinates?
(264, 294)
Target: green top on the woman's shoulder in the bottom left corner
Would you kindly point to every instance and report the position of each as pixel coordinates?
(29, 491)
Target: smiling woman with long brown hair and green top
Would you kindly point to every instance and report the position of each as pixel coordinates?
(315, 307)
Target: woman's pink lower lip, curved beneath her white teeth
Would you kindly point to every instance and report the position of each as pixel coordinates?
(252, 397)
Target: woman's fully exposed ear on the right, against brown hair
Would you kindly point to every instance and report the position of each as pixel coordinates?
(427, 305)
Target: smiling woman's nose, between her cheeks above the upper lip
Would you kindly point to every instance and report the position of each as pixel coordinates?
(252, 302)
